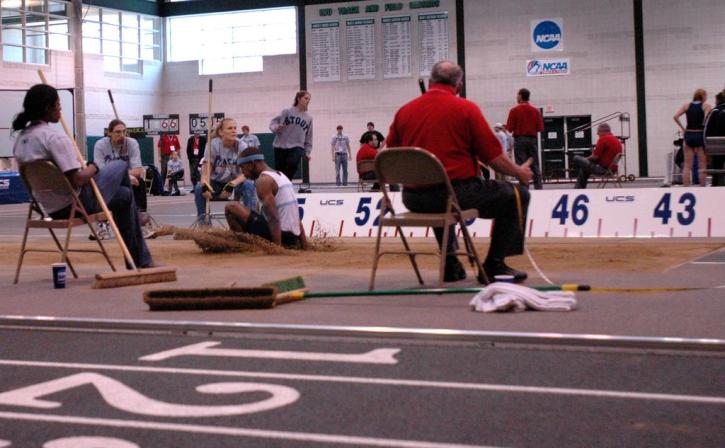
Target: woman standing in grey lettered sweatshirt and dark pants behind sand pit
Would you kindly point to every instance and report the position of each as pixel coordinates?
(292, 130)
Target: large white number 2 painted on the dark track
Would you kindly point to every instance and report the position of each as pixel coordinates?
(122, 397)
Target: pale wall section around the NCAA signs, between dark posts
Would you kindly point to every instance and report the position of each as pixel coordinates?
(598, 40)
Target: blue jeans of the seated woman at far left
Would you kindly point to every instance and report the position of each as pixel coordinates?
(115, 188)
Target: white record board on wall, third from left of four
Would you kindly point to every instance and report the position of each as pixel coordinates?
(397, 47)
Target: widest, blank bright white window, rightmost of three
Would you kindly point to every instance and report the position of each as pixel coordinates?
(233, 42)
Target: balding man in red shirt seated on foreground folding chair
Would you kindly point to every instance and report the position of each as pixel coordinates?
(455, 131)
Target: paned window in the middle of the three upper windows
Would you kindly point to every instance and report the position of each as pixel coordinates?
(123, 38)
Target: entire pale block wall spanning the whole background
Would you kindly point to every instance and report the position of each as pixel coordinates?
(684, 50)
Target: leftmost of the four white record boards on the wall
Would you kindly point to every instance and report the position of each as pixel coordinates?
(325, 51)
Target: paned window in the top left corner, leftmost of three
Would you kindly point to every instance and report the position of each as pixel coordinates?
(30, 28)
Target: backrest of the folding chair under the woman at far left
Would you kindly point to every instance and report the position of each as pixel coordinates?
(46, 183)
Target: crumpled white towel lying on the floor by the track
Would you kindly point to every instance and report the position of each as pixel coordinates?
(501, 296)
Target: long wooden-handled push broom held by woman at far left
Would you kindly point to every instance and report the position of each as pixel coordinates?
(116, 279)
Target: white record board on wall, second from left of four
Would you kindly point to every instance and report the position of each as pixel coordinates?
(360, 49)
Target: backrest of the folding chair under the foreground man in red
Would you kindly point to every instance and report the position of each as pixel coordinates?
(410, 165)
